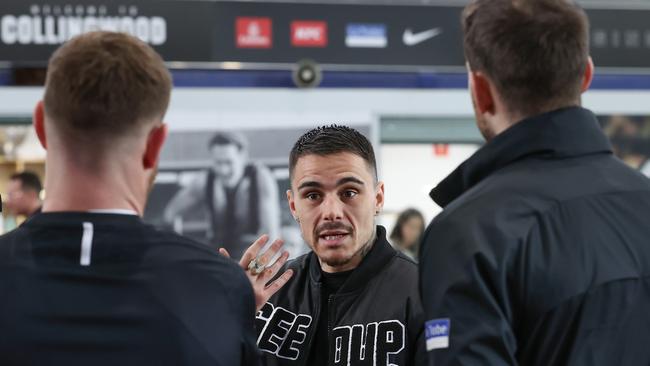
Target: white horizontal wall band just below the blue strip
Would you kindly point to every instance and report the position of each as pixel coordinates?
(308, 107)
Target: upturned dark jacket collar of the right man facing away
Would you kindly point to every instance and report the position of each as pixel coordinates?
(563, 133)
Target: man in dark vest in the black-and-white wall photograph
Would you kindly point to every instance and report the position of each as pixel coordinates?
(240, 196)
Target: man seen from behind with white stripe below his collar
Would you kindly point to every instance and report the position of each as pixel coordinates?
(86, 282)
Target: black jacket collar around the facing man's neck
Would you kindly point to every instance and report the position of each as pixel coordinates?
(380, 254)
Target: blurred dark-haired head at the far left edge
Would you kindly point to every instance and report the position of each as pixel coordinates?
(23, 194)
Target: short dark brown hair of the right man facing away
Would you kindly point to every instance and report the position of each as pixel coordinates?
(535, 51)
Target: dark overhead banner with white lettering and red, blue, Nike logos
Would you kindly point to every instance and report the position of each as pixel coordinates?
(395, 37)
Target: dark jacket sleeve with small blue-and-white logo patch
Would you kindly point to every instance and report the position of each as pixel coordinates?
(463, 279)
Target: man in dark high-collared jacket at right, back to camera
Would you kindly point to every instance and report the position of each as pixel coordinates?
(542, 253)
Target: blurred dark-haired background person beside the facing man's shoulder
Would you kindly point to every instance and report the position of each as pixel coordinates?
(407, 232)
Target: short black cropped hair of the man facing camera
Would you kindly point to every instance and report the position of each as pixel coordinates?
(333, 139)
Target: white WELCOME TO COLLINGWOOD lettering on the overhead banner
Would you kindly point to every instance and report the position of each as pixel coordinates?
(55, 24)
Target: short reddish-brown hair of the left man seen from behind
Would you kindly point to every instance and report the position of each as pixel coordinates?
(105, 85)
